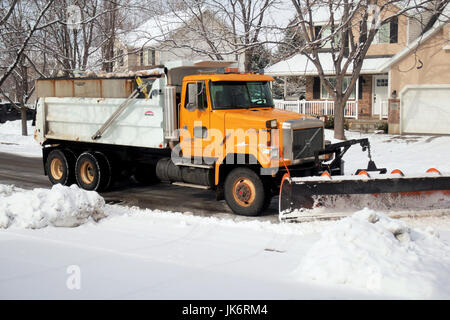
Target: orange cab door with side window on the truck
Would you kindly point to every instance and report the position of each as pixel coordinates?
(195, 119)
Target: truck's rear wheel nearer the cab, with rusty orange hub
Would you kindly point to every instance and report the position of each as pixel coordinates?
(92, 172)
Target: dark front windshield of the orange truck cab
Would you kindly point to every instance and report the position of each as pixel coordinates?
(239, 95)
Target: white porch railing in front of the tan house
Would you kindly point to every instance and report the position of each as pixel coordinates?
(317, 108)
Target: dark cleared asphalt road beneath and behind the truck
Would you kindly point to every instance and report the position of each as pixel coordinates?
(27, 173)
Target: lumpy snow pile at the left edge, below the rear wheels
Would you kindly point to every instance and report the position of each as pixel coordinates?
(61, 207)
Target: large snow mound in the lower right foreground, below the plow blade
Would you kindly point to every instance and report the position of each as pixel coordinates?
(374, 252)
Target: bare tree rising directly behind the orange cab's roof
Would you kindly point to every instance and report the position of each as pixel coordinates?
(226, 27)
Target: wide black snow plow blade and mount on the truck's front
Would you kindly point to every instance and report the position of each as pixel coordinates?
(365, 188)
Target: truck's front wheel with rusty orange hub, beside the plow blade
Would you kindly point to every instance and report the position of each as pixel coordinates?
(244, 192)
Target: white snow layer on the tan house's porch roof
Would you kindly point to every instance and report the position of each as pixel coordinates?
(300, 65)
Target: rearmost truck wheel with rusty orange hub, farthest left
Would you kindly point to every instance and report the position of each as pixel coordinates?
(60, 167)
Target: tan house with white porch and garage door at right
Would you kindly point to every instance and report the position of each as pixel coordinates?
(405, 77)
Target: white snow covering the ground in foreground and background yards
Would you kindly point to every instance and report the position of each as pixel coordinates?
(111, 251)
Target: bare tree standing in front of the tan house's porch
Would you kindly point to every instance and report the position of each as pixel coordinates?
(352, 26)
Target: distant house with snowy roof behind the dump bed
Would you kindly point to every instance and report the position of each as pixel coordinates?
(169, 37)
